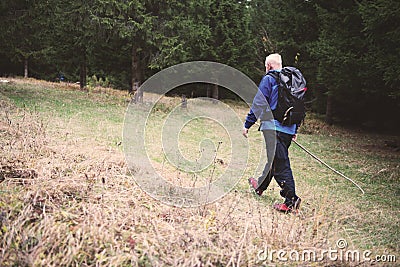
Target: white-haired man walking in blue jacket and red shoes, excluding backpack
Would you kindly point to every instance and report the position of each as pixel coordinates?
(277, 137)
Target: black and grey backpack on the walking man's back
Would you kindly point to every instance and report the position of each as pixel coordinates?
(290, 108)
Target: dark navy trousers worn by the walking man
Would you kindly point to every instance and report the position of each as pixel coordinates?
(278, 165)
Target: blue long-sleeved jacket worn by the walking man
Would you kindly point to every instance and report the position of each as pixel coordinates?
(265, 100)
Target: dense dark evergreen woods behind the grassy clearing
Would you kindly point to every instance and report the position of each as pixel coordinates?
(348, 50)
